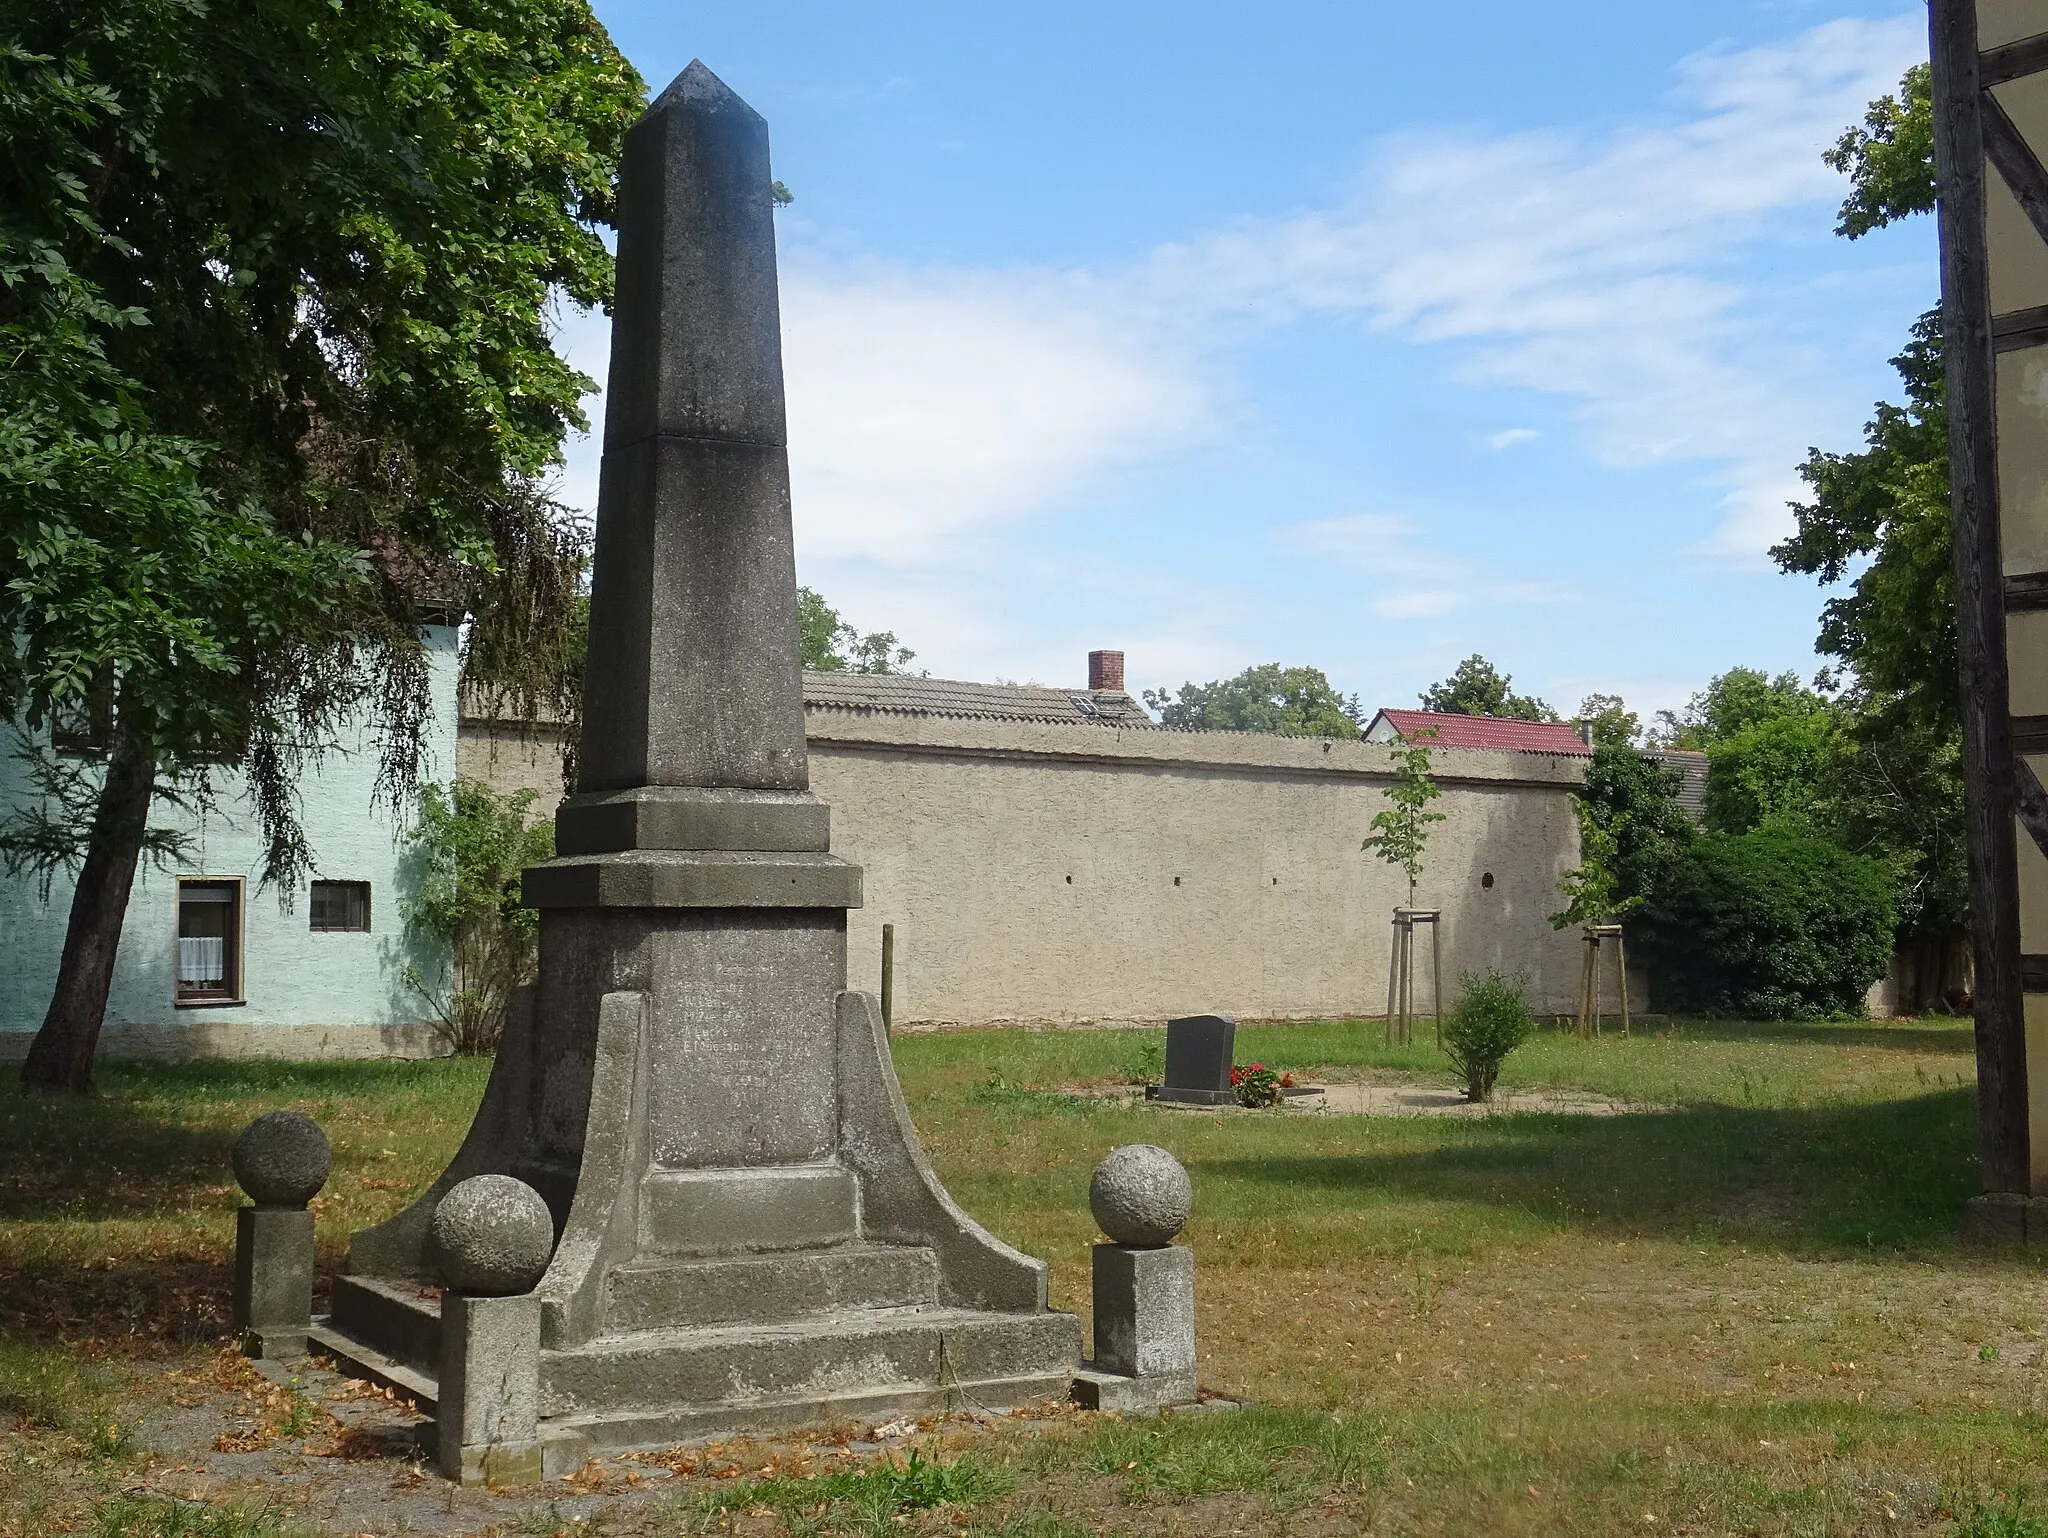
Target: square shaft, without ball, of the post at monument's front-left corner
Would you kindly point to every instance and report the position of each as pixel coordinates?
(488, 1410)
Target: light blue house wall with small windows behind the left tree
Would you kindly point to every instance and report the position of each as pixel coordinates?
(298, 990)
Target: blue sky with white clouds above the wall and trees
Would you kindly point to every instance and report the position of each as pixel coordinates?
(1336, 335)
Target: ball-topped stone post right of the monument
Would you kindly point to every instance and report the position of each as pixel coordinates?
(1144, 1285)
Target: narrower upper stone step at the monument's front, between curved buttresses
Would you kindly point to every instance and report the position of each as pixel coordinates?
(767, 1289)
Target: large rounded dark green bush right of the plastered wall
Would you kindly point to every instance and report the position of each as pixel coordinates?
(1768, 925)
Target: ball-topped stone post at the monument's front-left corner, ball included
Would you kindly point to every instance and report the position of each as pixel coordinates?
(493, 1238)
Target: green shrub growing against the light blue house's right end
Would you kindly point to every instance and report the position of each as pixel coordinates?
(466, 857)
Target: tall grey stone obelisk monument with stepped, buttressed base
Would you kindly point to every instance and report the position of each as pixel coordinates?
(746, 1228)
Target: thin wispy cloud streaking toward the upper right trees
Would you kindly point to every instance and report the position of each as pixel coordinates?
(1601, 267)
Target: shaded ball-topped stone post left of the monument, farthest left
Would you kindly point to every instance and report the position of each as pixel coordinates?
(282, 1160)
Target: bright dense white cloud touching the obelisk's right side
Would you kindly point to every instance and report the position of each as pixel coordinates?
(927, 404)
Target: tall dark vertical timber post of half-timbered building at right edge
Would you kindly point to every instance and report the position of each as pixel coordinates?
(1988, 740)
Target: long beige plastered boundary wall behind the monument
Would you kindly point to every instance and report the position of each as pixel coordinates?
(1068, 875)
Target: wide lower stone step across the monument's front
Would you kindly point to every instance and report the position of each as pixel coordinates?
(806, 1369)
